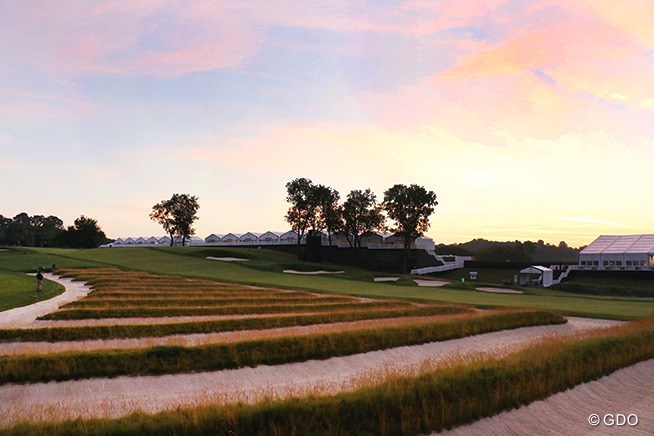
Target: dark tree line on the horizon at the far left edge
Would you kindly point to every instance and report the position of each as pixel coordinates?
(49, 231)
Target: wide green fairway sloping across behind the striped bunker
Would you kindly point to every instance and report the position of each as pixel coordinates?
(265, 268)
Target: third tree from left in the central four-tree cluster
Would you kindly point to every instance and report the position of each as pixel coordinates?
(361, 214)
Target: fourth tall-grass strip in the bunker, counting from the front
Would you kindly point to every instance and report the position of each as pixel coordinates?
(149, 312)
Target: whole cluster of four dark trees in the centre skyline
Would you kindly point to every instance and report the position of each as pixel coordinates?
(315, 208)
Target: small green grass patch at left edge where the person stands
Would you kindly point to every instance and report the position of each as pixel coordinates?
(18, 289)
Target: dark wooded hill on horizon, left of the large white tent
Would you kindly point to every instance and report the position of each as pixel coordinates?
(514, 251)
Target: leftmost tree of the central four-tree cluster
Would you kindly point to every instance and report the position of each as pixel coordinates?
(301, 213)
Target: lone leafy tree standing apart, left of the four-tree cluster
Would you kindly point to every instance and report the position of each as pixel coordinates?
(176, 215)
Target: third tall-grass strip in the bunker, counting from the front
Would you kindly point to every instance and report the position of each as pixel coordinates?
(55, 334)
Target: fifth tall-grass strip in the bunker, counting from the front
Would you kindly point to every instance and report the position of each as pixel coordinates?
(198, 302)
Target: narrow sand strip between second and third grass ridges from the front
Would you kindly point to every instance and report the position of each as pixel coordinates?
(14, 348)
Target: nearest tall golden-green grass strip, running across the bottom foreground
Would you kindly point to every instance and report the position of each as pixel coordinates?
(433, 401)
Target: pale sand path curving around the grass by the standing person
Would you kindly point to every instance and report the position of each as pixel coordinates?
(24, 316)
